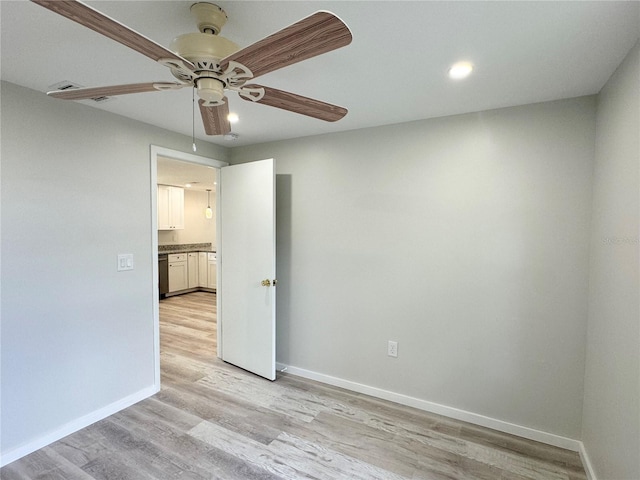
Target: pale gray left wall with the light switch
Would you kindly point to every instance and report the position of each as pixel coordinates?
(76, 335)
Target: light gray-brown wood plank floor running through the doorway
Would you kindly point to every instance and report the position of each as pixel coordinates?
(215, 421)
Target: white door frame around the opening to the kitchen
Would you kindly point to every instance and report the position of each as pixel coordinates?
(156, 151)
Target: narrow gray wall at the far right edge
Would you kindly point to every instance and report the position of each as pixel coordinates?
(611, 431)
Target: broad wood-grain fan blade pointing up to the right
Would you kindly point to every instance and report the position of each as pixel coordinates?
(314, 35)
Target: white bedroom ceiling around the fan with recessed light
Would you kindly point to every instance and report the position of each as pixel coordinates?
(394, 71)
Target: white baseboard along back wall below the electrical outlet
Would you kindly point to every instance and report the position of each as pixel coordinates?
(451, 412)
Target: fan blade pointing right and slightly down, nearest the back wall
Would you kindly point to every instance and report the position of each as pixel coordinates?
(297, 104)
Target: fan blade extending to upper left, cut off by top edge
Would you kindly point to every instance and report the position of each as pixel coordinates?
(99, 22)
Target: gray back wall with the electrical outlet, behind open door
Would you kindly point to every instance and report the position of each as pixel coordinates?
(463, 238)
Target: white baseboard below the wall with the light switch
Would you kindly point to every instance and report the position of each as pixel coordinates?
(75, 425)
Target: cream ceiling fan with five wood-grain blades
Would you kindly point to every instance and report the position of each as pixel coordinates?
(213, 64)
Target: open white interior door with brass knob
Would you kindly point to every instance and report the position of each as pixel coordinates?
(247, 307)
